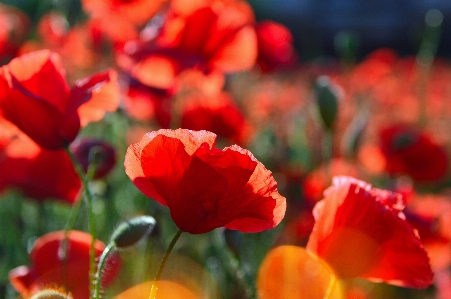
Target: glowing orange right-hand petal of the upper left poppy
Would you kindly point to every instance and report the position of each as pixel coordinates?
(102, 95)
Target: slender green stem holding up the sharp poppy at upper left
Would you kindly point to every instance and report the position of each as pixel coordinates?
(91, 218)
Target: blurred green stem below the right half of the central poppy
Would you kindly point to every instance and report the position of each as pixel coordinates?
(232, 264)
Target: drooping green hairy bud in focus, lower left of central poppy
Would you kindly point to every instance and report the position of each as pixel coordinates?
(130, 232)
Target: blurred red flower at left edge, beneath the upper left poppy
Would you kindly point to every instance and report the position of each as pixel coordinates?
(39, 174)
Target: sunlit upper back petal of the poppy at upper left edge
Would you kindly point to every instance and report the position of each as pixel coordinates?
(40, 74)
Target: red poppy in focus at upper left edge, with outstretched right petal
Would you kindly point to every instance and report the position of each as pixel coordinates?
(35, 96)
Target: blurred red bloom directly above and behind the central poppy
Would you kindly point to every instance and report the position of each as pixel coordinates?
(200, 104)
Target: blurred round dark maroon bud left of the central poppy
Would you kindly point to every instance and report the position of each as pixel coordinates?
(95, 152)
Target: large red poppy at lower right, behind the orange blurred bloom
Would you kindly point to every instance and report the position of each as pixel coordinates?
(362, 231)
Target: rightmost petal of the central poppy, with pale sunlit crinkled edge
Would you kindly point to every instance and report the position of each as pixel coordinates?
(261, 206)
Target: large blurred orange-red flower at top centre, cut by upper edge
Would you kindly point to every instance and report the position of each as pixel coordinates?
(206, 35)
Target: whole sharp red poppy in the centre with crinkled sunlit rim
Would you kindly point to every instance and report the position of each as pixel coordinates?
(204, 187)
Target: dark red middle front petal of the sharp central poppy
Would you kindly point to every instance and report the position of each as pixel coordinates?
(212, 183)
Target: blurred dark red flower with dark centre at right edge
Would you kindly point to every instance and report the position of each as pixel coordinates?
(413, 153)
